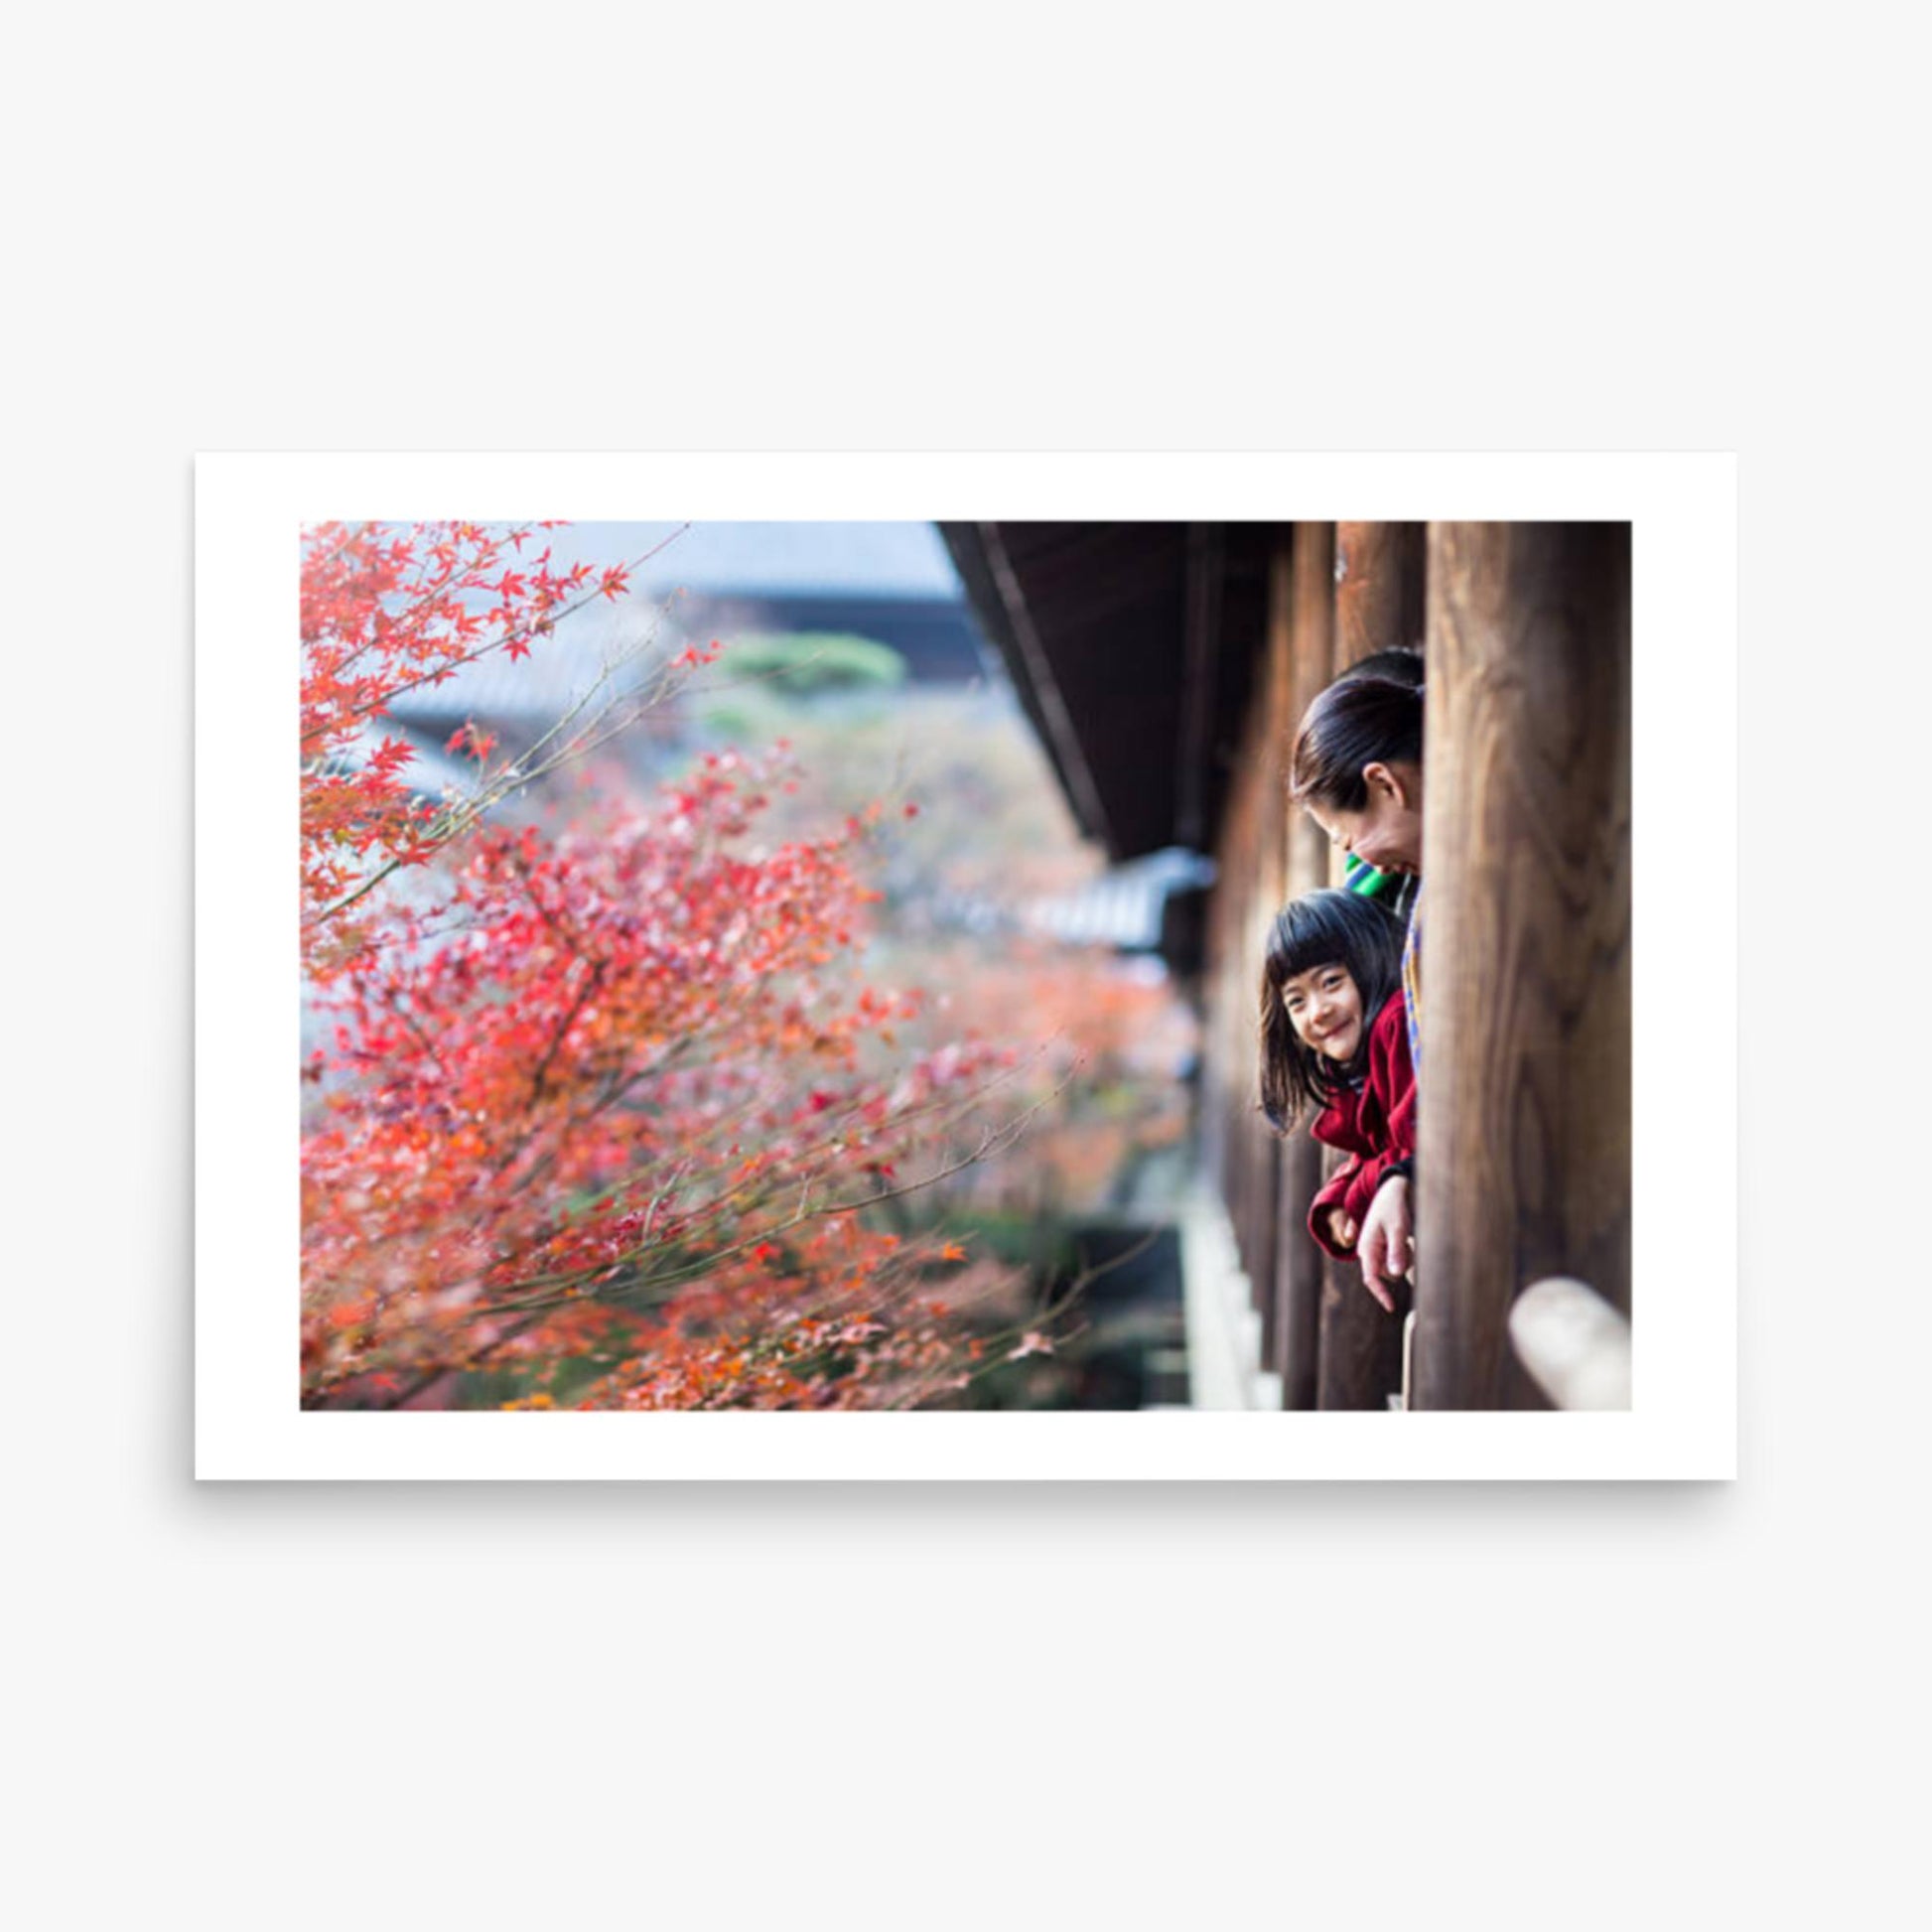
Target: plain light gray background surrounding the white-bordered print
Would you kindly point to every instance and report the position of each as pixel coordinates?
(1008, 229)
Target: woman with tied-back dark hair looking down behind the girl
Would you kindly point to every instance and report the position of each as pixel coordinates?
(1357, 770)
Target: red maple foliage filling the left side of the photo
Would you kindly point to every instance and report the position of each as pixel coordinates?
(608, 1116)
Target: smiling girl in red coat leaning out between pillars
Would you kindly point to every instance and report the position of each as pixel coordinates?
(1336, 1038)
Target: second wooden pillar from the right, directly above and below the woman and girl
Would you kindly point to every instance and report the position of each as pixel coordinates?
(1378, 604)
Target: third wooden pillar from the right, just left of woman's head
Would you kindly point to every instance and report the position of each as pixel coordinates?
(1311, 598)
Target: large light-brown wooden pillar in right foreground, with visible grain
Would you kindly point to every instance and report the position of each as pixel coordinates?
(1525, 1137)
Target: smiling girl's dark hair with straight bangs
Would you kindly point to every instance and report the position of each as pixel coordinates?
(1328, 928)
